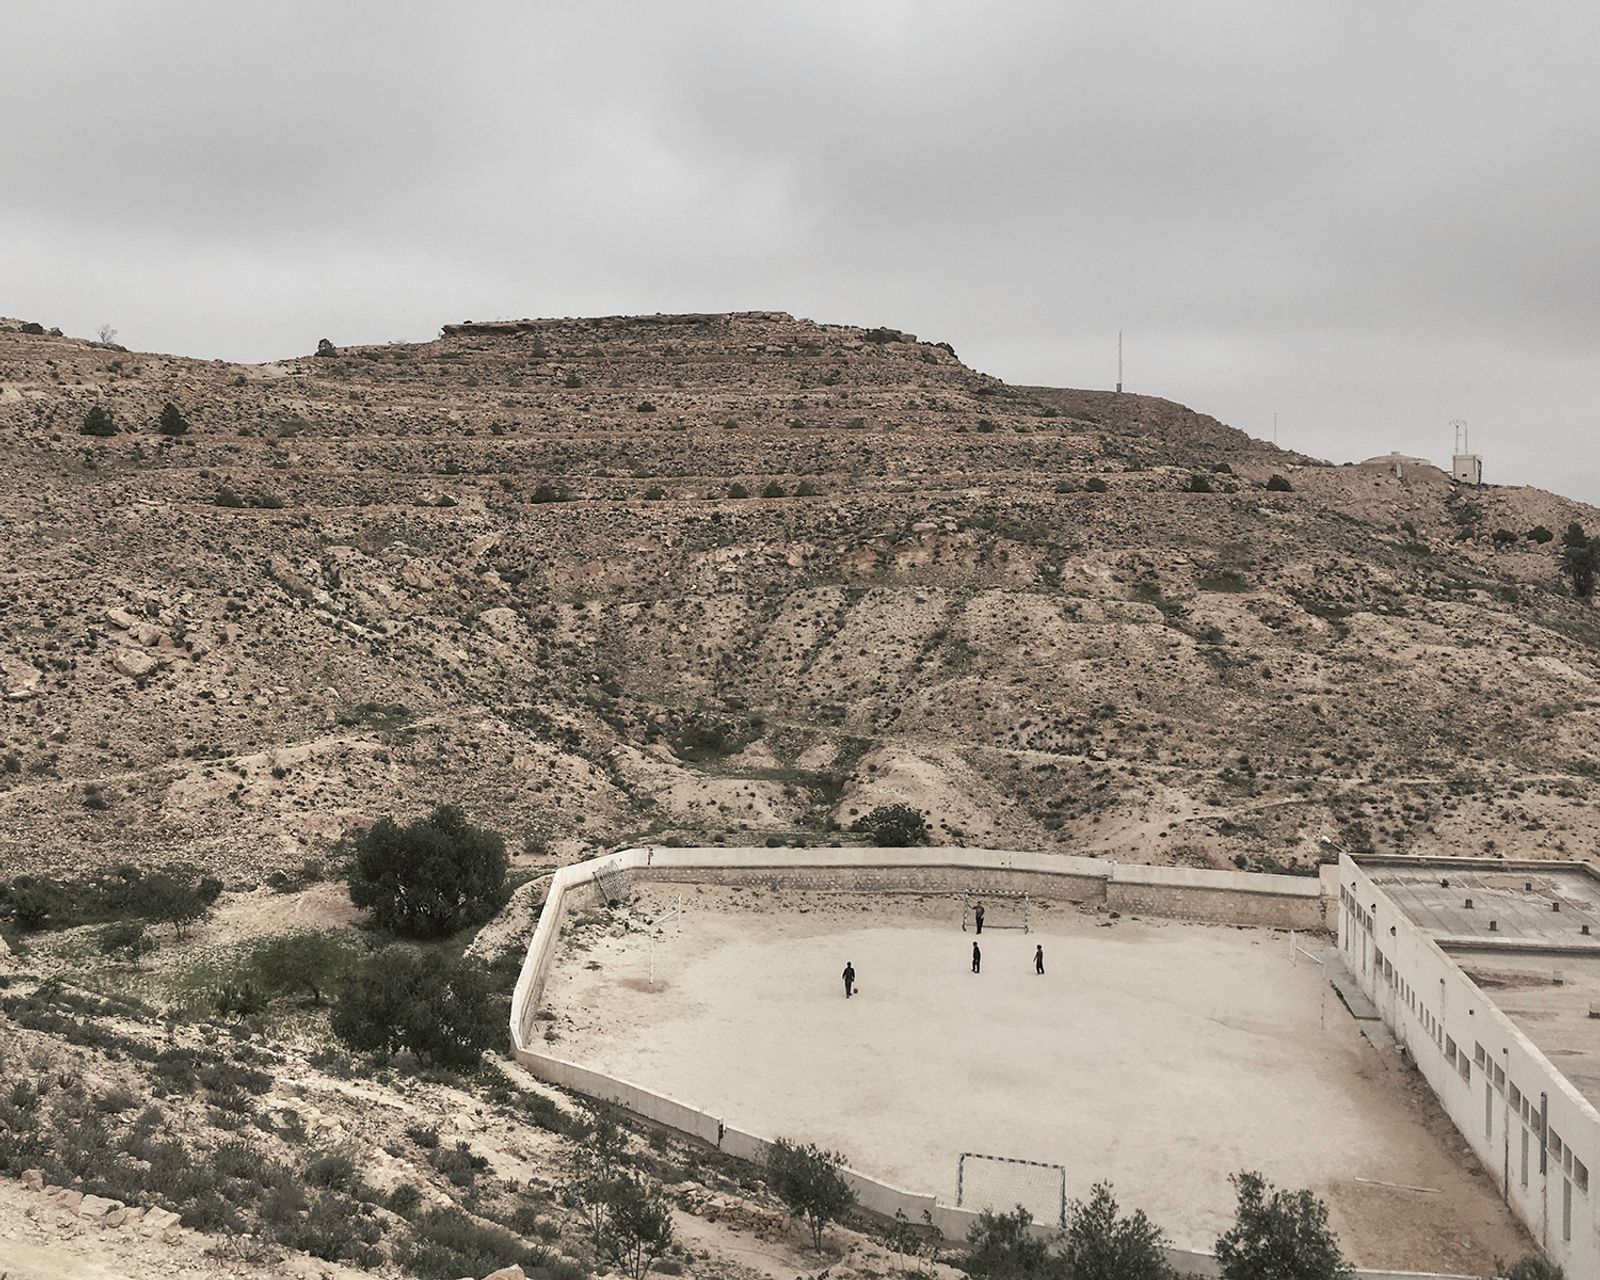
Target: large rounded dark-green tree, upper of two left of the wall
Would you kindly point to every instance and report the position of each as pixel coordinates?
(431, 878)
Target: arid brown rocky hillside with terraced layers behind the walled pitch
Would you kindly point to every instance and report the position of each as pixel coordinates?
(740, 578)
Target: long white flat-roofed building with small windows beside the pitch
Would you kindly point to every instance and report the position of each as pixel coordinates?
(1489, 975)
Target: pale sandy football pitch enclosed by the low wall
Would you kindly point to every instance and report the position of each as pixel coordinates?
(1153, 1055)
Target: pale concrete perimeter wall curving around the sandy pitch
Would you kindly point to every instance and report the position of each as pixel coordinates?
(1238, 898)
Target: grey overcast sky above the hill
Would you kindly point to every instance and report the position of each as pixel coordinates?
(1367, 218)
